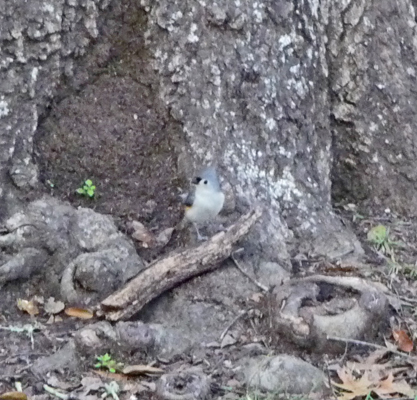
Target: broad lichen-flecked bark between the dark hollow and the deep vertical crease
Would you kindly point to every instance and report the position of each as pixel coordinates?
(249, 82)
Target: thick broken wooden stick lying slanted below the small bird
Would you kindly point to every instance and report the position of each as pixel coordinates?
(170, 271)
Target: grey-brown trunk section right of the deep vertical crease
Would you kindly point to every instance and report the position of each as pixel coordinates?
(372, 57)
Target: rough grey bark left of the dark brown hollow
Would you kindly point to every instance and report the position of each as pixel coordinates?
(39, 42)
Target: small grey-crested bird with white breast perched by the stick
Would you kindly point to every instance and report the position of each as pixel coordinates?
(205, 201)
